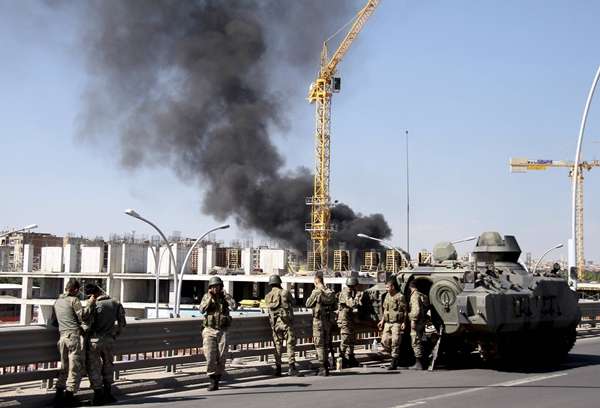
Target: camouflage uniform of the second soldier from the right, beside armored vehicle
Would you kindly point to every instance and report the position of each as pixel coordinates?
(394, 314)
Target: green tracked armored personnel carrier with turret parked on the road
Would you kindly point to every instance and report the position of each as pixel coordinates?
(492, 303)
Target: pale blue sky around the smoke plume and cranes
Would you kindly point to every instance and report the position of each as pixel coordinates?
(474, 83)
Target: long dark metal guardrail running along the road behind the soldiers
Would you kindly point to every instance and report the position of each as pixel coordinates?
(29, 353)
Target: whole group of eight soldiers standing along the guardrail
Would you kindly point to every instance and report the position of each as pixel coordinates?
(87, 334)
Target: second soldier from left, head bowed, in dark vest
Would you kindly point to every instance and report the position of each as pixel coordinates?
(100, 341)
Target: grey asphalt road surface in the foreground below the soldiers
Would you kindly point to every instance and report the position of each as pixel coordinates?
(576, 383)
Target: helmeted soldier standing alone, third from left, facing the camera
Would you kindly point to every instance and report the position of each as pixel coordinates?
(215, 306)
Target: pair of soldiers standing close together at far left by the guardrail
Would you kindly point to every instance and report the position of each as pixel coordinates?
(86, 338)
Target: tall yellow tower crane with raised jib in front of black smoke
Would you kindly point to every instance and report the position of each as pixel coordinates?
(320, 94)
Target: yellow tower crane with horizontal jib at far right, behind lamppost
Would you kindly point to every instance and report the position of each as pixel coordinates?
(523, 165)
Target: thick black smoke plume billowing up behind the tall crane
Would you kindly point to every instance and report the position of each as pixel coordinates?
(189, 85)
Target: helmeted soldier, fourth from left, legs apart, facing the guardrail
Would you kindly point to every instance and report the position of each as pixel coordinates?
(281, 316)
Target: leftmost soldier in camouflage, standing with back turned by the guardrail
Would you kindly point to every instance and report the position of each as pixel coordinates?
(72, 320)
